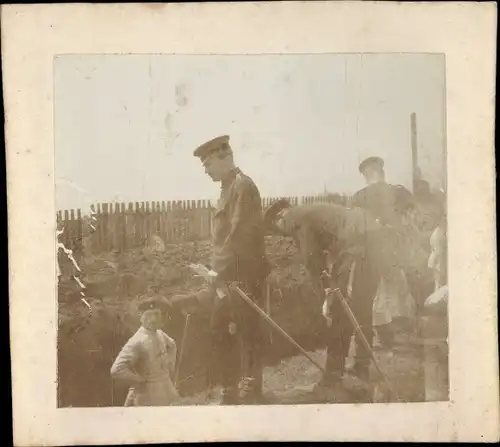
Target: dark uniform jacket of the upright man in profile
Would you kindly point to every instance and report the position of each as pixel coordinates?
(238, 245)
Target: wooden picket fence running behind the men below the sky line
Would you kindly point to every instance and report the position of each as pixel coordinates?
(120, 226)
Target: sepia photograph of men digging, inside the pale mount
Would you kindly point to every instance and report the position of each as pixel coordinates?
(251, 229)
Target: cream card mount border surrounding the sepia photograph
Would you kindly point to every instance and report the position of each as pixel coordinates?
(34, 34)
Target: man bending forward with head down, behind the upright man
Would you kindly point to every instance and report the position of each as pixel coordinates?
(328, 237)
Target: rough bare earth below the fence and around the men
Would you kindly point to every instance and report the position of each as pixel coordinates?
(90, 340)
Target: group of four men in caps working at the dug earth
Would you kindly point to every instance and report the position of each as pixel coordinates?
(350, 249)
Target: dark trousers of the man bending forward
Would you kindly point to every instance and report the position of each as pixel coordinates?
(364, 289)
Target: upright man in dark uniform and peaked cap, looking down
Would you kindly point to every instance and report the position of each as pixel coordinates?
(238, 255)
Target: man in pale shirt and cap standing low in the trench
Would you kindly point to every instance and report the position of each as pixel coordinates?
(147, 360)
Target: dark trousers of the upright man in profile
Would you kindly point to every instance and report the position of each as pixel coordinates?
(239, 354)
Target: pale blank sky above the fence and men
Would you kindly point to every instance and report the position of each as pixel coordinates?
(126, 126)
